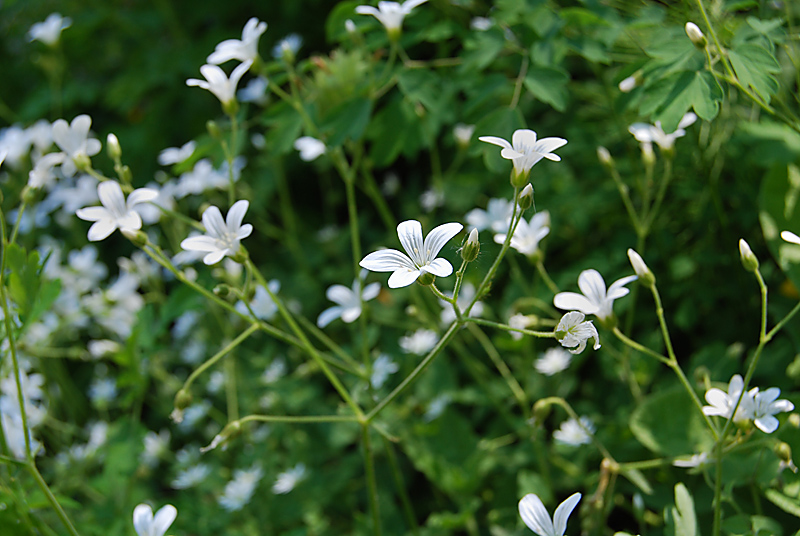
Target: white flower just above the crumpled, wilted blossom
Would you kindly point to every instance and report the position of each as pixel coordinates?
(595, 300)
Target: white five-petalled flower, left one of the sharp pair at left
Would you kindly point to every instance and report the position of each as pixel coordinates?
(116, 212)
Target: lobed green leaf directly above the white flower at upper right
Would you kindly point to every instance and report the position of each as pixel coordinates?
(670, 98)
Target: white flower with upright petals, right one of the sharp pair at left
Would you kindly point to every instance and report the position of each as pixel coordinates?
(222, 236)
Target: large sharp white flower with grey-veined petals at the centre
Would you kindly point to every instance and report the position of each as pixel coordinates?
(421, 256)
